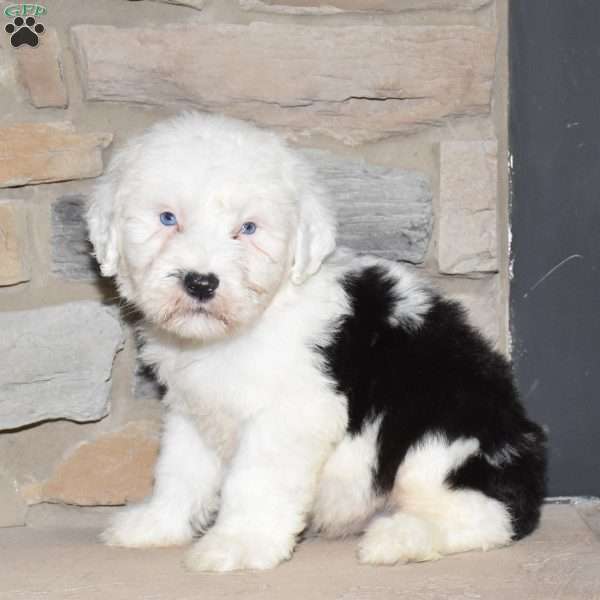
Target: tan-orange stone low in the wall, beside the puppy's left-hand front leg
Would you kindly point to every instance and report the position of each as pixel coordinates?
(113, 469)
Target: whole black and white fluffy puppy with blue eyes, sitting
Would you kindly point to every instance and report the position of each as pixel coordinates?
(308, 388)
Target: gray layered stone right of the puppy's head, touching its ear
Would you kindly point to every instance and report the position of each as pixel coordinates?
(380, 210)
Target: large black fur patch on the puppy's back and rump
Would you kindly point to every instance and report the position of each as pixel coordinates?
(442, 377)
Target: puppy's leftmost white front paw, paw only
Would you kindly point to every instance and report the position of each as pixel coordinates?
(147, 526)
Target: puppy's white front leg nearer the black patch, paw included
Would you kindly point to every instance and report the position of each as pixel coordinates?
(265, 498)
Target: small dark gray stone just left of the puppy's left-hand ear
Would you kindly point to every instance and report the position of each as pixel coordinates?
(71, 249)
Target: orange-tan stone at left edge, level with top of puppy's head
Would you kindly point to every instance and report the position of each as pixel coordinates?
(44, 152)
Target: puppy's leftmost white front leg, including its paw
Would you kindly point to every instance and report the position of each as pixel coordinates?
(187, 478)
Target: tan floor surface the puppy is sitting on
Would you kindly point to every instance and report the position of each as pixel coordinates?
(57, 556)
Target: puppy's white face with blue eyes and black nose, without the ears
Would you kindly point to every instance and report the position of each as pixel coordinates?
(205, 253)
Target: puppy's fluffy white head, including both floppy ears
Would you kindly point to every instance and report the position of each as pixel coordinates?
(203, 218)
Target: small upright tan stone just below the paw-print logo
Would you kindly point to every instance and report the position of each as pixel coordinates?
(41, 72)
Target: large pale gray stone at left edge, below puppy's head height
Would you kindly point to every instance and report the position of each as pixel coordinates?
(57, 363)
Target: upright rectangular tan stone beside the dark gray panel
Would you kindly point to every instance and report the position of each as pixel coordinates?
(468, 207)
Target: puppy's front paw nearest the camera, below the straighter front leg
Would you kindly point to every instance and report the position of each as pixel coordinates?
(218, 551)
